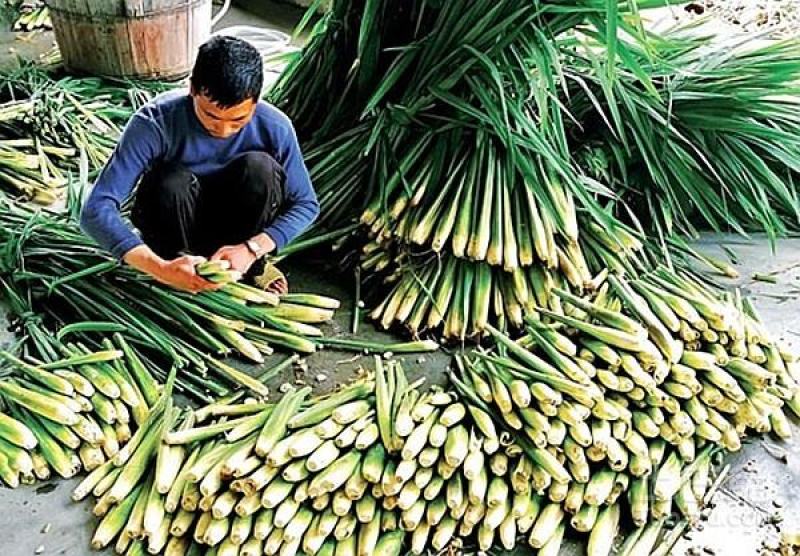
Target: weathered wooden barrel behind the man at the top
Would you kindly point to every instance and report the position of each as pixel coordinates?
(145, 39)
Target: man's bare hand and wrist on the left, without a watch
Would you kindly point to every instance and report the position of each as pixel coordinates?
(178, 273)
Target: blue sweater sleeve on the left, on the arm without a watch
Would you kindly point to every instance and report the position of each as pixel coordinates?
(139, 146)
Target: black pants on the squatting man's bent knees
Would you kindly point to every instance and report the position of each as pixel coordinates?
(178, 212)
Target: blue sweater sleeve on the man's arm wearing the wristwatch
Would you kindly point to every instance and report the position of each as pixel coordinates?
(302, 206)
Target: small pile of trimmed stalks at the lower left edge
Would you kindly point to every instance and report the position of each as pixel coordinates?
(67, 408)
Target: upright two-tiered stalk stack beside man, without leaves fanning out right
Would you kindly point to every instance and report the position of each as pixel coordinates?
(475, 184)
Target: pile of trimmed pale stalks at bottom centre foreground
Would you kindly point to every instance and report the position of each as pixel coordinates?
(353, 473)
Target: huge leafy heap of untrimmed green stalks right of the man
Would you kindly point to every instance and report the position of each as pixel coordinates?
(493, 149)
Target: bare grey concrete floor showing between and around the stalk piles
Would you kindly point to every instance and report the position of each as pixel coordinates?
(758, 498)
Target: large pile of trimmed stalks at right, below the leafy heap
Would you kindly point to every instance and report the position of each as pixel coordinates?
(635, 386)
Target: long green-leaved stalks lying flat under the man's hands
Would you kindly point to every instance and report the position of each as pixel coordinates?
(51, 269)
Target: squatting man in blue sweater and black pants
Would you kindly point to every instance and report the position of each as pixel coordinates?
(214, 172)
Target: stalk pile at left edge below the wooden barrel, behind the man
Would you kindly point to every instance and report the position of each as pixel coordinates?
(55, 128)
